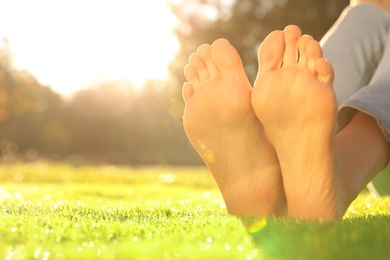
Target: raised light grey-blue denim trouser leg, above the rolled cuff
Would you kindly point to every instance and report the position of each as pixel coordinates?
(354, 46)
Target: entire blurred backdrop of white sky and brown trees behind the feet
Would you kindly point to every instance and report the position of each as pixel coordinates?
(51, 110)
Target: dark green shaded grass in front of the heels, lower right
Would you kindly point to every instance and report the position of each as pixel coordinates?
(357, 238)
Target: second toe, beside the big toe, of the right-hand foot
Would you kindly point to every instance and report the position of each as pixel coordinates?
(292, 34)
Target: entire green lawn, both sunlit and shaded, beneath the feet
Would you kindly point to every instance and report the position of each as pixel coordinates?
(52, 211)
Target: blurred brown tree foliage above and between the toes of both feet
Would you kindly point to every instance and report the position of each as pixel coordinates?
(245, 23)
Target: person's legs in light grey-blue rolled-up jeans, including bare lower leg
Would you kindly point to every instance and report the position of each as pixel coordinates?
(359, 48)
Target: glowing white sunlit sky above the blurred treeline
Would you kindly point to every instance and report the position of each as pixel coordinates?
(72, 44)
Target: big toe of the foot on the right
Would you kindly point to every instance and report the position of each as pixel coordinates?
(271, 51)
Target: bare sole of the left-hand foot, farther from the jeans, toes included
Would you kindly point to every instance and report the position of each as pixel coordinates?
(223, 128)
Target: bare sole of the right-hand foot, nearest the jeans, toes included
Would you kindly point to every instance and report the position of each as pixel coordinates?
(296, 103)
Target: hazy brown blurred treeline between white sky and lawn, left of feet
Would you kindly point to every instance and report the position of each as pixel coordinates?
(111, 123)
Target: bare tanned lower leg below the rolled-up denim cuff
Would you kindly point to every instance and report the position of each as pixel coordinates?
(363, 151)
